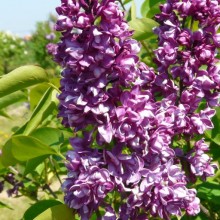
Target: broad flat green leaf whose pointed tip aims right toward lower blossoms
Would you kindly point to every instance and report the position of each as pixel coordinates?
(23, 148)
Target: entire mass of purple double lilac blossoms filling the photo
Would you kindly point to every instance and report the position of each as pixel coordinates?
(123, 136)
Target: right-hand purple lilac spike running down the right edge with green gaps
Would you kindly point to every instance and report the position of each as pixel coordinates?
(187, 64)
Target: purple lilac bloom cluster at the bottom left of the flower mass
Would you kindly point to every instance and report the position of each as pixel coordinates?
(88, 182)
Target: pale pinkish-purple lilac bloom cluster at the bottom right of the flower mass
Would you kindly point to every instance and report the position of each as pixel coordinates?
(163, 192)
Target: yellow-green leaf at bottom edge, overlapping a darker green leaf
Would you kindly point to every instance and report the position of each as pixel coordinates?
(56, 213)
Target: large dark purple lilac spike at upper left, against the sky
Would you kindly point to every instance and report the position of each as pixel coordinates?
(97, 60)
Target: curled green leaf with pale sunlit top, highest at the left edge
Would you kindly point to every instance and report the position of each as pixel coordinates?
(21, 78)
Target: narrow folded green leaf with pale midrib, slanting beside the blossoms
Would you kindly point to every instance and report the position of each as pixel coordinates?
(45, 107)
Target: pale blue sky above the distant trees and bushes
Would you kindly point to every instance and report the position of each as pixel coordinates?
(20, 16)
